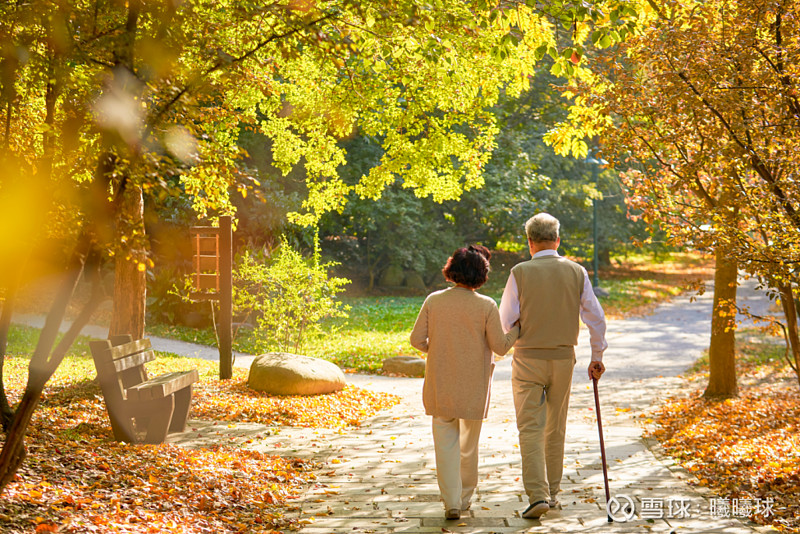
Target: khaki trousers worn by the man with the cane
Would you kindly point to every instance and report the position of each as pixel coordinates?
(541, 399)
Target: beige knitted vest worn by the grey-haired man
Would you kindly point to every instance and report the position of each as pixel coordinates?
(550, 289)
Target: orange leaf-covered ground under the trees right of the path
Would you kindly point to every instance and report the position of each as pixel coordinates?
(745, 448)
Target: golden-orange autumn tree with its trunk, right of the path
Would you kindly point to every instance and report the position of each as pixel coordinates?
(703, 98)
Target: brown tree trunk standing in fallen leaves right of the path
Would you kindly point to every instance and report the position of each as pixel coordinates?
(721, 350)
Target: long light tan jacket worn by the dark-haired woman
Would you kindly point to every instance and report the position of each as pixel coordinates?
(459, 329)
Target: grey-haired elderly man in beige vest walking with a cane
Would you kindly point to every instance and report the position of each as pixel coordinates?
(547, 294)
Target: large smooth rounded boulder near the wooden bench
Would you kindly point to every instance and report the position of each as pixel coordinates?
(280, 373)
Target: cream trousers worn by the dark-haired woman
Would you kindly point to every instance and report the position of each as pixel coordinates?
(456, 444)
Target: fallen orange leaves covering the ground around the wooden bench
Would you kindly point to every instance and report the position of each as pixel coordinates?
(77, 479)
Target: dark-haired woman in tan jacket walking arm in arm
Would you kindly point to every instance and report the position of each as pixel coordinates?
(459, 329)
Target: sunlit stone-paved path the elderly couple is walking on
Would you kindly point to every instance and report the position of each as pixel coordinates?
(380, 478)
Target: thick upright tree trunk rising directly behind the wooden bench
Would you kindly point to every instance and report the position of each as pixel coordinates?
(130, 284)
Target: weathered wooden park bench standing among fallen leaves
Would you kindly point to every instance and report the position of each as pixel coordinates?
(141, 410)
